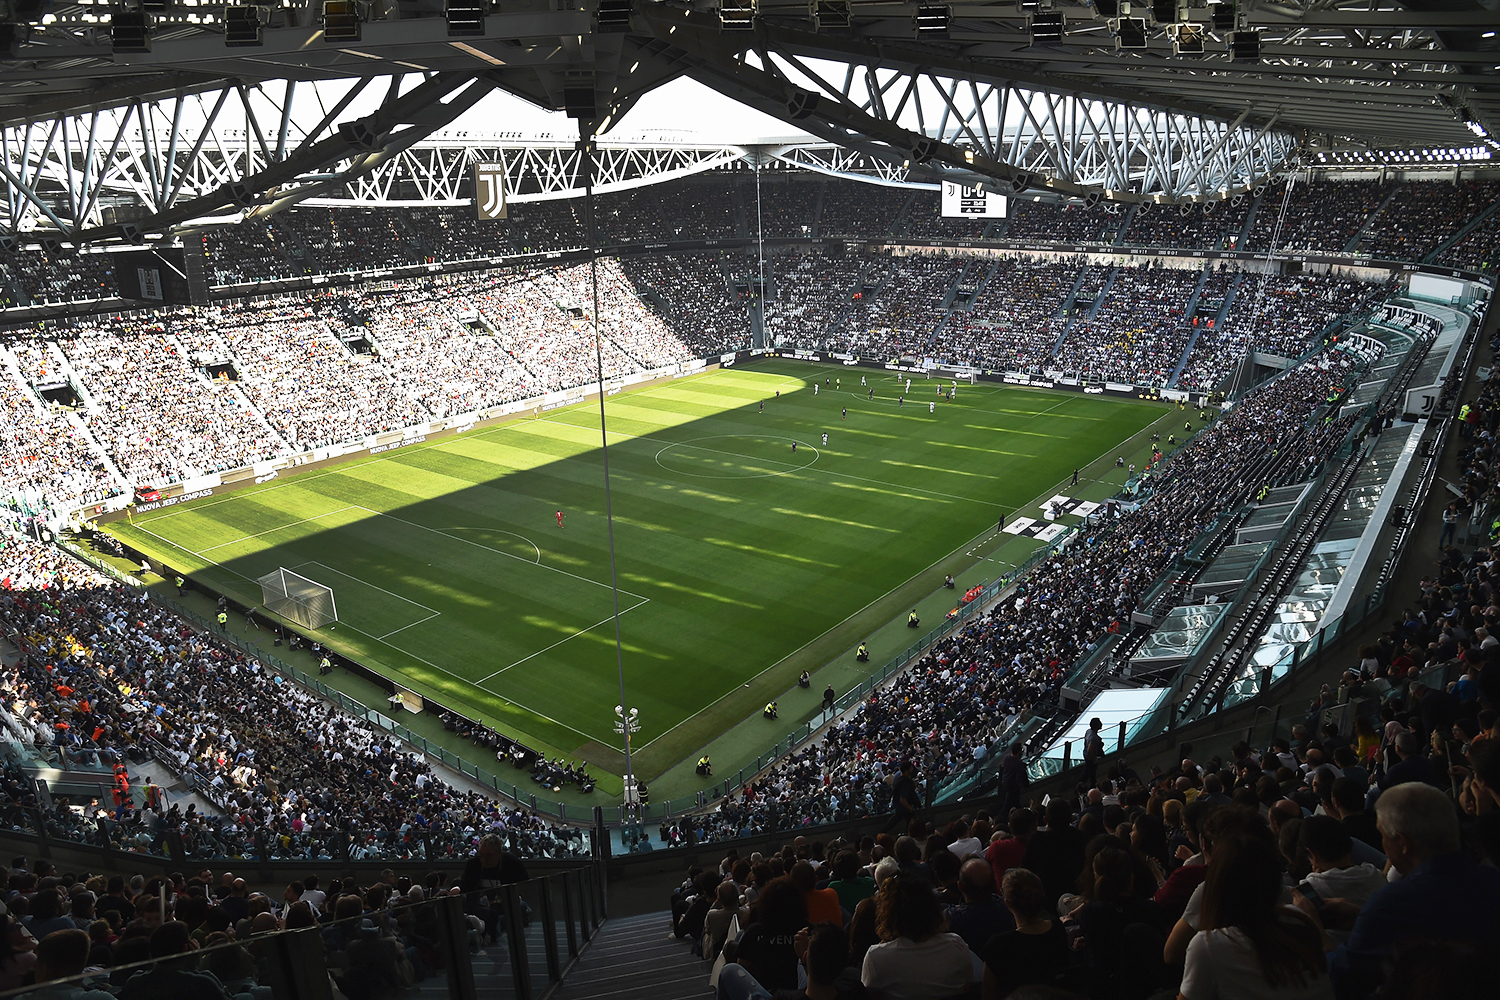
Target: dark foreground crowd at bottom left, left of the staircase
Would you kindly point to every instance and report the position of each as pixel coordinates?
(212, 936)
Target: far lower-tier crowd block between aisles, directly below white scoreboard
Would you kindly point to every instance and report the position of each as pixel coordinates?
(1016, 320)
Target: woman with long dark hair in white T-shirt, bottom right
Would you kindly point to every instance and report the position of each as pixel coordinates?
(1252, 945)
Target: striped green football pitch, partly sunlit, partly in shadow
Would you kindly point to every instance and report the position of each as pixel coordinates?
(734, 552)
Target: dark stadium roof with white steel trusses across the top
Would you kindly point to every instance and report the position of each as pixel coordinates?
(1162, 101)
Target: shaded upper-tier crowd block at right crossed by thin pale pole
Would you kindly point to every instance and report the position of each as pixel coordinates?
(1322, 218)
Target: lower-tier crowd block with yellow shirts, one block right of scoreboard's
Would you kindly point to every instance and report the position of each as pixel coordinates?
(1141, 332)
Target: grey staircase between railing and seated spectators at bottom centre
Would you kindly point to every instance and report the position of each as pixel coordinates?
(635, 959)
